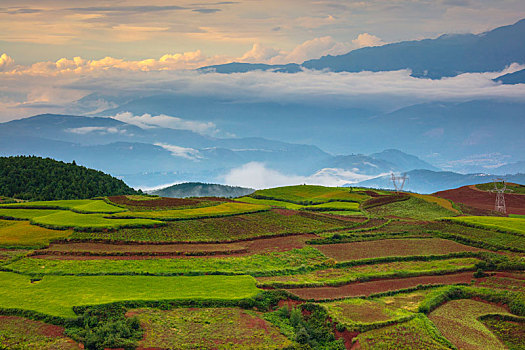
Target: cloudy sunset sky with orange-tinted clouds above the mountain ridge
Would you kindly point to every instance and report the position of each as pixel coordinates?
(192, 33)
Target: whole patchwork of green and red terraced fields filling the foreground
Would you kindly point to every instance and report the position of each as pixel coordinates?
(300, 267)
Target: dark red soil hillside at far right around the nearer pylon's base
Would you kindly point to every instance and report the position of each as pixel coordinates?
(473, 197)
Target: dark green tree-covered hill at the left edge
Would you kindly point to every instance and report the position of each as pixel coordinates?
(35, 178)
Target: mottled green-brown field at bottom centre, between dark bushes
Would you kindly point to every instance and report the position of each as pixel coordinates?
(217, 328)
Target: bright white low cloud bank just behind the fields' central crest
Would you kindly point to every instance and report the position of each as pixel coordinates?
(257, 175)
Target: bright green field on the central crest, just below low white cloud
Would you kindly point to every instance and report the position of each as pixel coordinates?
(303, 194)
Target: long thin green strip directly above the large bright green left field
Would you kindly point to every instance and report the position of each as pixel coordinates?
(258, 264)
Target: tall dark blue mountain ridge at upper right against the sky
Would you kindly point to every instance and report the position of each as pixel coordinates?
(446, 56)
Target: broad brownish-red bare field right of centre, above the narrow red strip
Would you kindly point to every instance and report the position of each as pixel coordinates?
(392, 247)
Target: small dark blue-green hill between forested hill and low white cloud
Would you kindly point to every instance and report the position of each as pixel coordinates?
(199, 189)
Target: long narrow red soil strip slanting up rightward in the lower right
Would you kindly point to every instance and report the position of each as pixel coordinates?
(379, 286)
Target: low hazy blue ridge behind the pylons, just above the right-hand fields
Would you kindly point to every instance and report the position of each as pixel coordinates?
(427, 181)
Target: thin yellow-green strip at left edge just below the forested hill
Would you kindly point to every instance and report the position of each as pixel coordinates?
(79, 205)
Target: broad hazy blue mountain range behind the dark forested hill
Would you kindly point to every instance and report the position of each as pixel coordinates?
(153, 156)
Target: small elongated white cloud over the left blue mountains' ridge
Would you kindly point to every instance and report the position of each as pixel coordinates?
(147, 121)
